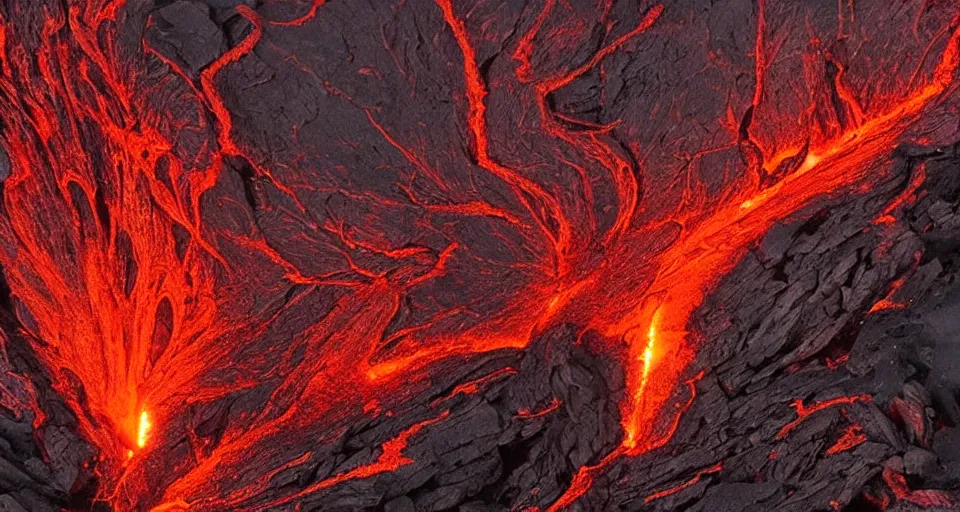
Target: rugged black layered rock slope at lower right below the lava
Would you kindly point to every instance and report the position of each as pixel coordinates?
(770, 351)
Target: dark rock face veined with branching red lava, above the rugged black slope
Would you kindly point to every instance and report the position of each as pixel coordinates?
(315, 217)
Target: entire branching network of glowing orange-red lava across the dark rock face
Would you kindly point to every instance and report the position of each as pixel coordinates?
(66, 262)
